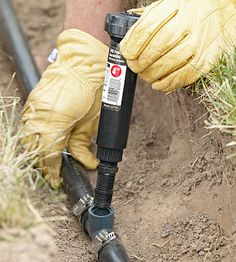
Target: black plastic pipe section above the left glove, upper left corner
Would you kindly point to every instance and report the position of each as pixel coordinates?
(11, 32)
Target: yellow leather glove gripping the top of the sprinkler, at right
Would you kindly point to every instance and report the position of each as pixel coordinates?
(176, 41)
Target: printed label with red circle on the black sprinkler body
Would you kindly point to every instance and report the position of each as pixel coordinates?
(114, 80)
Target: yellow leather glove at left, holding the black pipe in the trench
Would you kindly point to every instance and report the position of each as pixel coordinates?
(63, 109)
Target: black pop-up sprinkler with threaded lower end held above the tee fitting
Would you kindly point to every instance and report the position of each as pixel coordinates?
(117, 104)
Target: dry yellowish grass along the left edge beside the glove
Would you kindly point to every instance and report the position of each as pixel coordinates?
(18, 178)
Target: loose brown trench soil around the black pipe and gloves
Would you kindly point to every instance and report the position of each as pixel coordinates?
(175, 194)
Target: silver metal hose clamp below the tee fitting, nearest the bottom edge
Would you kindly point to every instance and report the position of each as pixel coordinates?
(98, 241)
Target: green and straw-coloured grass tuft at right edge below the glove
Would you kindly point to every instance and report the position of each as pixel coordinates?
(219, 96)
